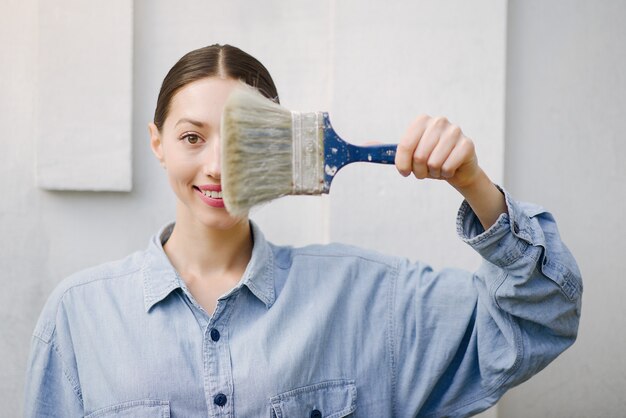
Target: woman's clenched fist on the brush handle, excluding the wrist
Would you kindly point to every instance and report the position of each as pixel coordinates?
(435, 148)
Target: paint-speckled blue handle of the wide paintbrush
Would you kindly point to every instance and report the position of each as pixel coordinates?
(338, 153)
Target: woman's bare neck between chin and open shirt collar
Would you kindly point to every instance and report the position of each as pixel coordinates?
(205, 252)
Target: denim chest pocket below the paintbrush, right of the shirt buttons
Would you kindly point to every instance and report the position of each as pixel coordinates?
(329, 399)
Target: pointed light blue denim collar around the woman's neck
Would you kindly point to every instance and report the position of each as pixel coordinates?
(160, 278)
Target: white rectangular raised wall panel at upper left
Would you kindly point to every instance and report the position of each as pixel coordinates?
(84, 103)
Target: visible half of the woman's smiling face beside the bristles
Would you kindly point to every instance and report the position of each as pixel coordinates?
(188, 145)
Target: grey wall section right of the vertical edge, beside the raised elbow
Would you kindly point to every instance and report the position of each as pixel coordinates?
(565, 148)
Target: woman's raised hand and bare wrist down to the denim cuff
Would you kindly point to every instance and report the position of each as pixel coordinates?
(434, 148)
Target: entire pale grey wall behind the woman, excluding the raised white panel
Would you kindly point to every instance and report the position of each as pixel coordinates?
(374, 67)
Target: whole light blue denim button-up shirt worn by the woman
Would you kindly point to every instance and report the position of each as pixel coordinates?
(319, 331)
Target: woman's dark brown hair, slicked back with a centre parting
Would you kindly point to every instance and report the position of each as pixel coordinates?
(215, 60)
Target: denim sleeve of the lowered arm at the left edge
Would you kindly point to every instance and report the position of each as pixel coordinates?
(52, 385)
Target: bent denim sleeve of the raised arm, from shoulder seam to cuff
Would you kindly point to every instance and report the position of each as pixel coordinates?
(462, 339)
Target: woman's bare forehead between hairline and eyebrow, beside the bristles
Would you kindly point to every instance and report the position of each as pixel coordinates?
(206, 96)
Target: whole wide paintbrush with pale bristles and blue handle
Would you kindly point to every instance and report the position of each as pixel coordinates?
(269, 151)
